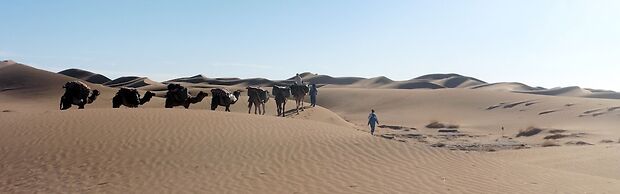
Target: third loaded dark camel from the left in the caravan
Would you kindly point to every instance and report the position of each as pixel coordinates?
(178, 95)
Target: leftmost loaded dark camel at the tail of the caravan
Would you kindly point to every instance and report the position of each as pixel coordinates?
(77, 93)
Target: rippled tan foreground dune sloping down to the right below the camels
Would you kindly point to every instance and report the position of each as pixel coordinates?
(196, 151)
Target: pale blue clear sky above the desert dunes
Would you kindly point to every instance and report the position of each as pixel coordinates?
(548, 43)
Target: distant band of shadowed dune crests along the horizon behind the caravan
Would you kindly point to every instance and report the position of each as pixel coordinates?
(430, 81)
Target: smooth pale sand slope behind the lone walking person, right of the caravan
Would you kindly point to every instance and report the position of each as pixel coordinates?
(478, 112)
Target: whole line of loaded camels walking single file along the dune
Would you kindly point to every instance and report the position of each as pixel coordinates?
(78, 93)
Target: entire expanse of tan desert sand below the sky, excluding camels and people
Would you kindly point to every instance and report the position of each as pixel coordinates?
(325, 149)
